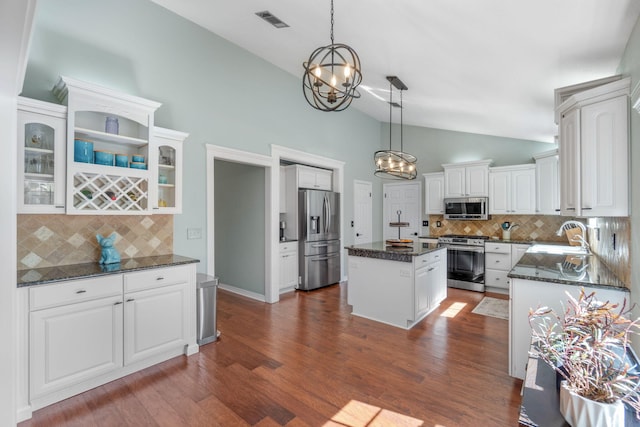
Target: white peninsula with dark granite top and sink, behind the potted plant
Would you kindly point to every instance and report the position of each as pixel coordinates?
(543, 279)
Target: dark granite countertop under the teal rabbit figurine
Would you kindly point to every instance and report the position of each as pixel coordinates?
(41, 276)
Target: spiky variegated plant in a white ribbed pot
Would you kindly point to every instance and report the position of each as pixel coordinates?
(588, 348)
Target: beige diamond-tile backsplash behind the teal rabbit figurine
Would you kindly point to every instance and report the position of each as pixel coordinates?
(51, 240)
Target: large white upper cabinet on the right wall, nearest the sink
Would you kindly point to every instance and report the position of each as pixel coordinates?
(594, 151)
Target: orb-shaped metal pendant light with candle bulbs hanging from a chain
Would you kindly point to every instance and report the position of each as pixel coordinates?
(331, 76)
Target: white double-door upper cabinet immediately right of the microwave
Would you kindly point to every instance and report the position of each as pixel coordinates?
(512, 190)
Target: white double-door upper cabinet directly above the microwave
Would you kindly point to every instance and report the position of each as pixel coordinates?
(469, 179)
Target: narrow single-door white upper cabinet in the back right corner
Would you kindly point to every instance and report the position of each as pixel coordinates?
(547, 183)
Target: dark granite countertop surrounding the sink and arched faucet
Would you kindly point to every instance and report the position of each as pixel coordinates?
(577, 270)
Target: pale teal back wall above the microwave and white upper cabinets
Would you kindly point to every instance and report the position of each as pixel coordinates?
(433, 147)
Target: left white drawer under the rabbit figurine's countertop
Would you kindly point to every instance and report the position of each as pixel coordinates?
(74, 291)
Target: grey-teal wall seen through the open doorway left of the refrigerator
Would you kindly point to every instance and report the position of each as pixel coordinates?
(239, 225)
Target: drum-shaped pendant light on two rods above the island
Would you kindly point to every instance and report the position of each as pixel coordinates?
(390, 163)
